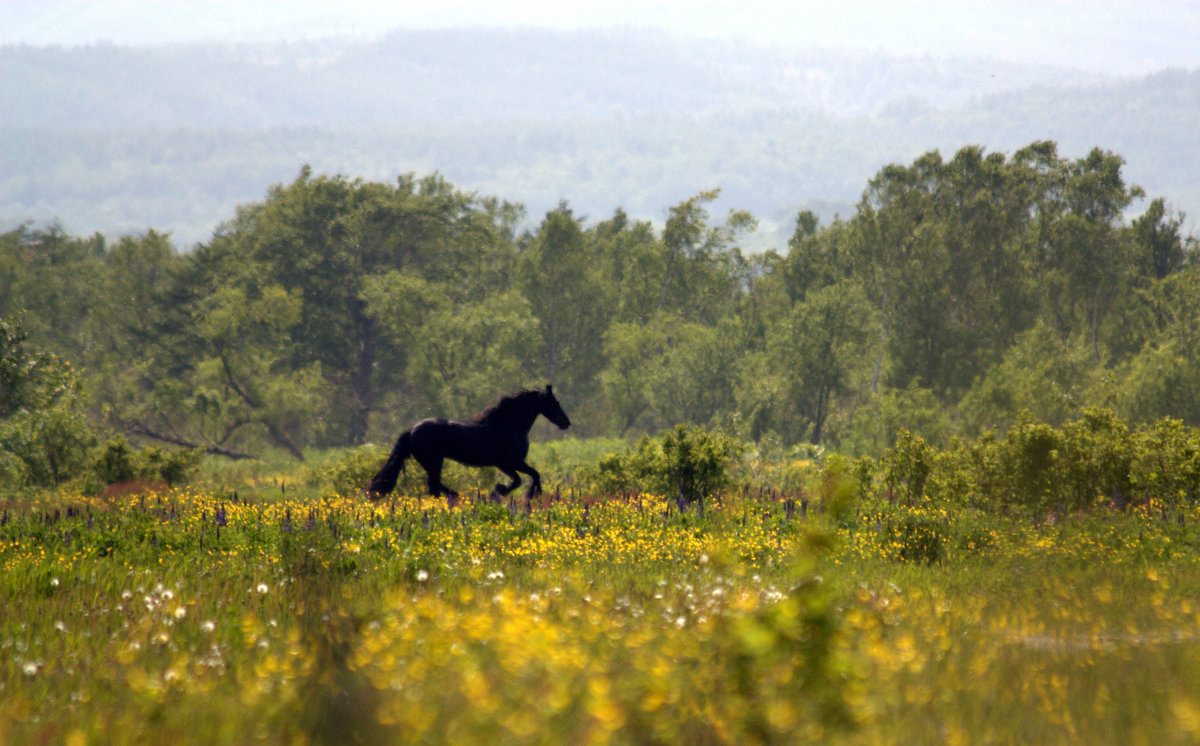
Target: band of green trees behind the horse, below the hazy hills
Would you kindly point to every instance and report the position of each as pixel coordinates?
(963, 290)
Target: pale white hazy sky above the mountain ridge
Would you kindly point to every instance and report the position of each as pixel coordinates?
(1102, 35)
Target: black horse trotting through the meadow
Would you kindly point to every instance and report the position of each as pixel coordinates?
(499, 437)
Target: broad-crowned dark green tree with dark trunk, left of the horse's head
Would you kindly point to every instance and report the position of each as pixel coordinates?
(320, 239)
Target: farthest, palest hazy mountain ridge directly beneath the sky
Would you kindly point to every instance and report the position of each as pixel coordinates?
(471, 75)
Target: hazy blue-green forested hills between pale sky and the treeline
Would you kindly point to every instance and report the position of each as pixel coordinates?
(123, 140)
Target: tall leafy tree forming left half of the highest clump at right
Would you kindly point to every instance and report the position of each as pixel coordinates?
(940, 251)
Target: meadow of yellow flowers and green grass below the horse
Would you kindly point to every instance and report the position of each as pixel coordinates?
(203, 617)
